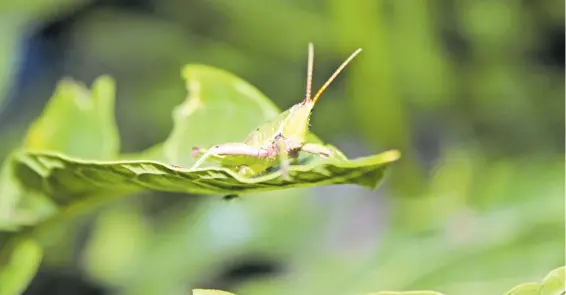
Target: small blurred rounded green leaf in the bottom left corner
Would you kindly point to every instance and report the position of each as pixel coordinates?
(19, 259)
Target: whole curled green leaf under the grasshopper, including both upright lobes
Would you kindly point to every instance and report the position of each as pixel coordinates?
(220, 108)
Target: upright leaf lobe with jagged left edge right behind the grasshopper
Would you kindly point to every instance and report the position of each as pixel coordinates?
(220, 107)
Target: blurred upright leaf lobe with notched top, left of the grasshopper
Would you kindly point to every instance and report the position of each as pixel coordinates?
(78, 122)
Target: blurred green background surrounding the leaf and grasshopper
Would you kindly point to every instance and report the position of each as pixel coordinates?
(470, 91)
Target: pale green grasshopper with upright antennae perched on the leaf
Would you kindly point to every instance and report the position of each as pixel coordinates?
(277, 141)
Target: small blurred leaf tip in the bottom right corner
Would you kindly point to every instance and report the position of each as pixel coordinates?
(553, 284)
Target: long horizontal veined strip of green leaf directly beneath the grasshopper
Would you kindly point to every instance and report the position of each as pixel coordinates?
(65, 178)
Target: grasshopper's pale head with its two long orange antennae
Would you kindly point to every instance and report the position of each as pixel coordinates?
(296, 126)
